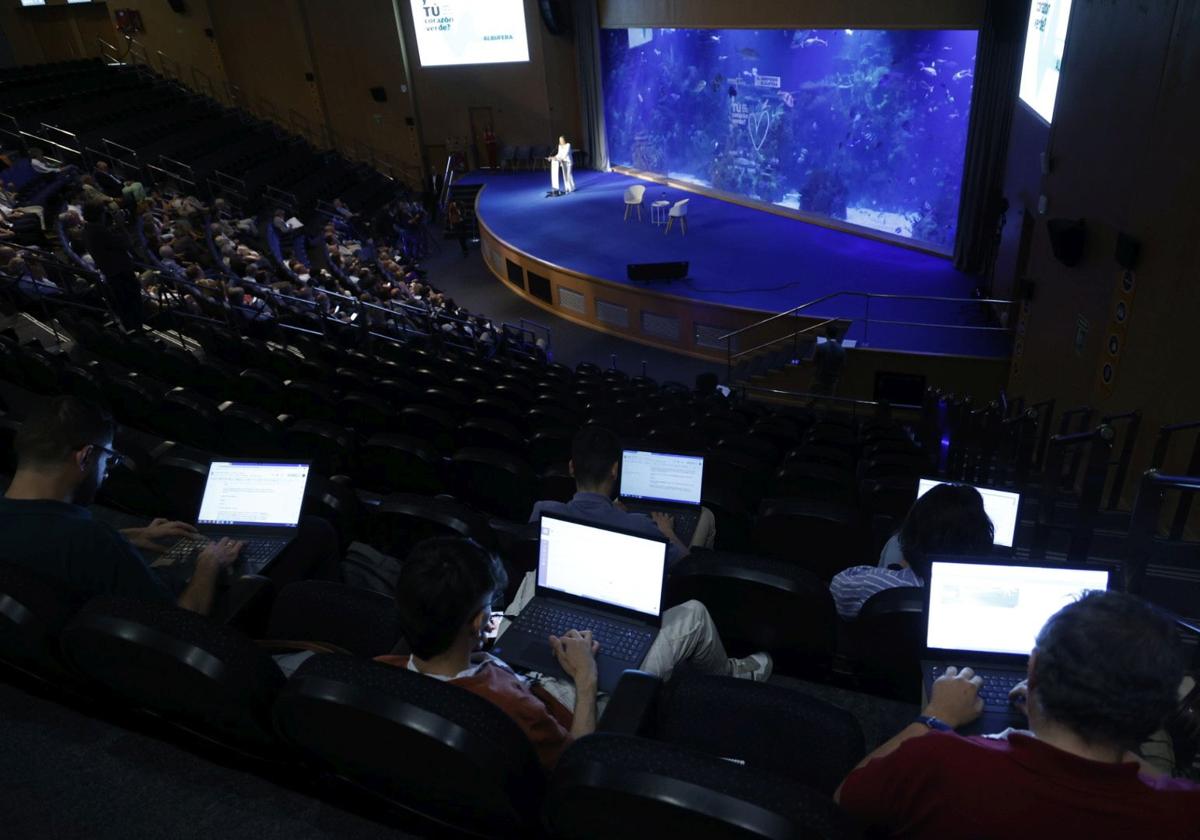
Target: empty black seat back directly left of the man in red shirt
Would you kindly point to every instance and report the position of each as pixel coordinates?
(795, 735)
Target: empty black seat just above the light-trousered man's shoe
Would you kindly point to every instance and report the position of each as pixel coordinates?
(761, 605)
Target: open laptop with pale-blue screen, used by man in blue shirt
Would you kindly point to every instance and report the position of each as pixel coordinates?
(669, 483)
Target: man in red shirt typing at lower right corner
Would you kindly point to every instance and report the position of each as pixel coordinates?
(1103, 676)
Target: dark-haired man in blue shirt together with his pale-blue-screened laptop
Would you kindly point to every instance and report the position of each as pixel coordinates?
(664, 493)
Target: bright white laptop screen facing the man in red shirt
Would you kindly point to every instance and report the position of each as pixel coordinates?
(991, 608)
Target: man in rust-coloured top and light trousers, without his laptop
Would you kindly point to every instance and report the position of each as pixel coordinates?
(446, 595)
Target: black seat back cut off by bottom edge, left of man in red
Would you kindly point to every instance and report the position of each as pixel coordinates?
(607, 784)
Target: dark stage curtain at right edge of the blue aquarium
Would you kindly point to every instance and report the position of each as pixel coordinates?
(998, 82)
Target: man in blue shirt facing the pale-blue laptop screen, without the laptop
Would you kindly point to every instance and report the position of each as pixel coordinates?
(596, 461)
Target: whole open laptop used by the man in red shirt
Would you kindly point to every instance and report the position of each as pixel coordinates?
(987, 615)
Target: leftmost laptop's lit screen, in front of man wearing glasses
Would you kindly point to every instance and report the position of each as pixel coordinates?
(254, 494)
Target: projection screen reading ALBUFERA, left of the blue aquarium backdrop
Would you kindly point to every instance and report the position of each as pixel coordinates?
(470, 32)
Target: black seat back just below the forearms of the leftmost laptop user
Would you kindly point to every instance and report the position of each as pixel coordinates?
(178, 665)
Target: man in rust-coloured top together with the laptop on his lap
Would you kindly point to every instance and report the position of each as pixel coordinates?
(584, 628)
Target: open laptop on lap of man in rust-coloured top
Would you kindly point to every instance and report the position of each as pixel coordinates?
(591, 578)
